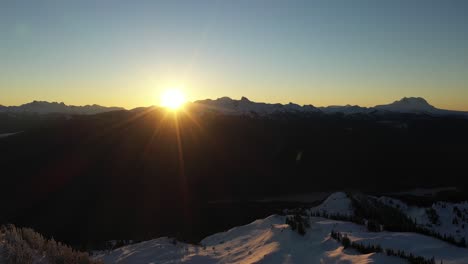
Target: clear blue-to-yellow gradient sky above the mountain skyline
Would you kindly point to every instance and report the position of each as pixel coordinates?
(310, 52)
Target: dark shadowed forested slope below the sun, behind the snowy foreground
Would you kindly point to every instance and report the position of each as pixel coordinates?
(139, 174)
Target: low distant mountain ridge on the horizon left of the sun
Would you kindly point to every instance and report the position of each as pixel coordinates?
(43, 107)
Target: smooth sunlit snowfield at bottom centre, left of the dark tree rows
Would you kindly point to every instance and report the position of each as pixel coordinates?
(263, 241)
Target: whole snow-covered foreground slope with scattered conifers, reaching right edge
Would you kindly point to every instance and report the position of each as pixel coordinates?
(270, 240)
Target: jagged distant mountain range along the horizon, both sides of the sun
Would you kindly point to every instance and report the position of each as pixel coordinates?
(226, 105)
